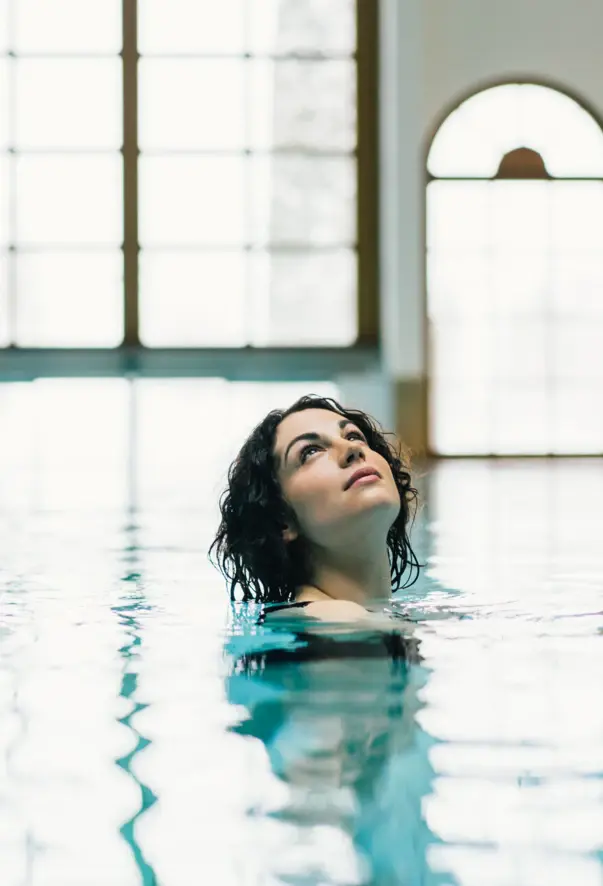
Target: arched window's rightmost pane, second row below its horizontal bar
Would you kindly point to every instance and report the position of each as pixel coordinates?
(577, 282)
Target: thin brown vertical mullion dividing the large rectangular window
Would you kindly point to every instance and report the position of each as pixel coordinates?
(129, 56)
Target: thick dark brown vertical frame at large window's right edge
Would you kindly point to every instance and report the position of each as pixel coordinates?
(367, 104)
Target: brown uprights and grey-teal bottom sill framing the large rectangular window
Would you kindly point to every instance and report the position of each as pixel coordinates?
(289, 361)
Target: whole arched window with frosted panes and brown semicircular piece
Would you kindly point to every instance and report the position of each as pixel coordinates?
(515, 276)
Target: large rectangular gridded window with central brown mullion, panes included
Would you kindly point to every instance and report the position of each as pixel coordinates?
(189, 166)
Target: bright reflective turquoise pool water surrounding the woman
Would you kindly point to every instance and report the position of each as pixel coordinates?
(151, 734)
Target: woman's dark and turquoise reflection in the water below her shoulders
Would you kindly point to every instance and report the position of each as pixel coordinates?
(336, 716)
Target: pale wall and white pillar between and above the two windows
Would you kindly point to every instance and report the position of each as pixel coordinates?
(433, 54)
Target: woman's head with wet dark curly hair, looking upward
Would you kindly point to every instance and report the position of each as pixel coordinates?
(289, 493)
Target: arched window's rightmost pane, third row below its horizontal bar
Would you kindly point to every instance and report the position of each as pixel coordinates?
(577, 350)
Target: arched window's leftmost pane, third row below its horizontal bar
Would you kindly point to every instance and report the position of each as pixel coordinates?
(462, 352)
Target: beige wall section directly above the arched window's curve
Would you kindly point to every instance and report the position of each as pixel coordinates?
(470, 43)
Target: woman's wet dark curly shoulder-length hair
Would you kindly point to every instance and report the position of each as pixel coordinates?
(249, 549)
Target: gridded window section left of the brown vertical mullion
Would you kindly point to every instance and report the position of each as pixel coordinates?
(60, 174)
